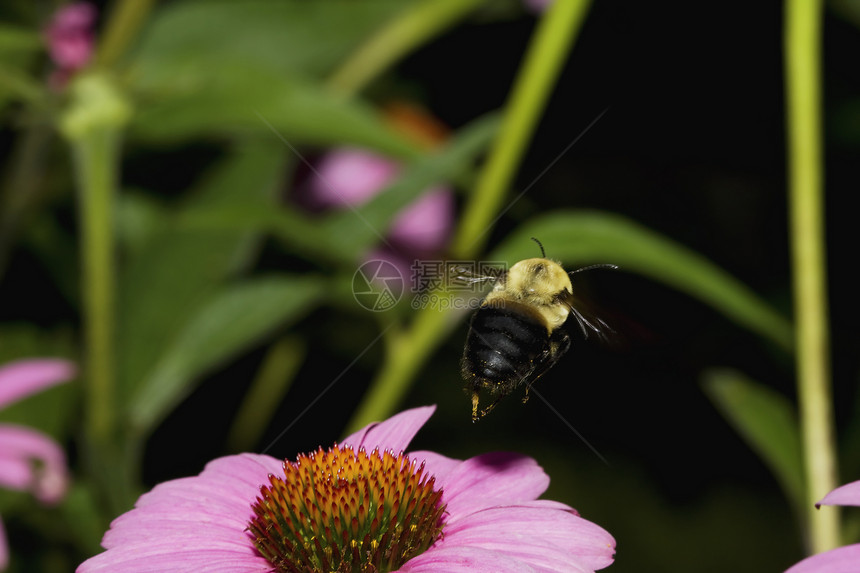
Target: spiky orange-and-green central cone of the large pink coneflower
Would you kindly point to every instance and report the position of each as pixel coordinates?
(338, 510)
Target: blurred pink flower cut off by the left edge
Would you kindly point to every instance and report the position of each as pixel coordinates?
(29, 460)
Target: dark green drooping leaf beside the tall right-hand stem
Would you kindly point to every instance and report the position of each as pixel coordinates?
(767, 422)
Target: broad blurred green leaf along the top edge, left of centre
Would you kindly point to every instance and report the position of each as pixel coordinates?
(283, 36)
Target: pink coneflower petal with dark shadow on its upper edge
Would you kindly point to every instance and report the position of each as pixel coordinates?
(492, 479)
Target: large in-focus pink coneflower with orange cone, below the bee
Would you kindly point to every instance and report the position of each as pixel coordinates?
(361, 505)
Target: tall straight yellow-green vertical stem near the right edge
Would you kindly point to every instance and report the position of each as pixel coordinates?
(803, 96)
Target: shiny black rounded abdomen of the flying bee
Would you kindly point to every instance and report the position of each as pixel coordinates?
(502, 345)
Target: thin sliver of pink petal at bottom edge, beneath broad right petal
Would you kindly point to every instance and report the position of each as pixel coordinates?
(463, 560)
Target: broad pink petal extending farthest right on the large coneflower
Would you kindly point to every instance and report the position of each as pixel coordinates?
(540, 534)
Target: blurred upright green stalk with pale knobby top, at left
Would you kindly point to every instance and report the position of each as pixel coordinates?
(93, 125)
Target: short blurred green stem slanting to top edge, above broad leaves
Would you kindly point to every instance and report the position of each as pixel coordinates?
(399, 37)
